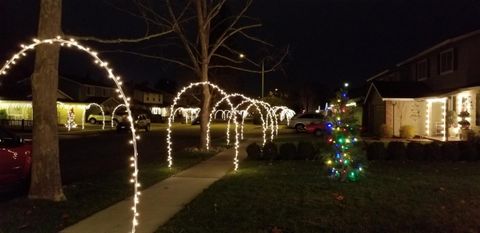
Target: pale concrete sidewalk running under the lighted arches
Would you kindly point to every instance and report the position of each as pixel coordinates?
(161, 201)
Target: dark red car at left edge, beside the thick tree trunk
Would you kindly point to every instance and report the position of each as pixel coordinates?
(15, 159)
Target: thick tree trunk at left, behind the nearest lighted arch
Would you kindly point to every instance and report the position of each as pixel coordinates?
(46, 180)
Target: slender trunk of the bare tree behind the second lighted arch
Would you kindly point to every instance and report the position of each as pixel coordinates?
(204, 34)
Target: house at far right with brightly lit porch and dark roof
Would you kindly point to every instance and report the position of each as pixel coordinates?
(422, 90)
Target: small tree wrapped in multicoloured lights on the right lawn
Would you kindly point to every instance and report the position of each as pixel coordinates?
(344, 131)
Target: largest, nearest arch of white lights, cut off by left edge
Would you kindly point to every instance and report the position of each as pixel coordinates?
(71, 43)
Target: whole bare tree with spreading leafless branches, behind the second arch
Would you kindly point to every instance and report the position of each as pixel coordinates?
(202, 34)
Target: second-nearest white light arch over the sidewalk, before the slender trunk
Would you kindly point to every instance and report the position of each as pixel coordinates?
(172, 116)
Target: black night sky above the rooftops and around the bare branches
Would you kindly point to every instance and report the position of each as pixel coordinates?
(330, 40)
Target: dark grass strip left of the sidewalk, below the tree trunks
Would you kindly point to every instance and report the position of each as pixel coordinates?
(85, 198)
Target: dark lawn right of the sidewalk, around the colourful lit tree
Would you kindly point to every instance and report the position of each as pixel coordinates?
(296, 196)
